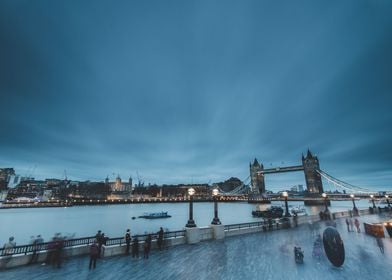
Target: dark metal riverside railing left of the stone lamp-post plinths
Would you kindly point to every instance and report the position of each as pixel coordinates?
(84, 241)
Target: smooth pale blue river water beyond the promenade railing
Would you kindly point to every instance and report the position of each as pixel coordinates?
(113, 220)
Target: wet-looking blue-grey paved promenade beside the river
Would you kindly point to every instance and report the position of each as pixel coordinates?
(255, 256)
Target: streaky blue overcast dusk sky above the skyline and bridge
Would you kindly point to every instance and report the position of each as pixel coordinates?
(192, 91)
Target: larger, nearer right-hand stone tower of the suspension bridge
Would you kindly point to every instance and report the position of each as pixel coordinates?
(312, 177)
